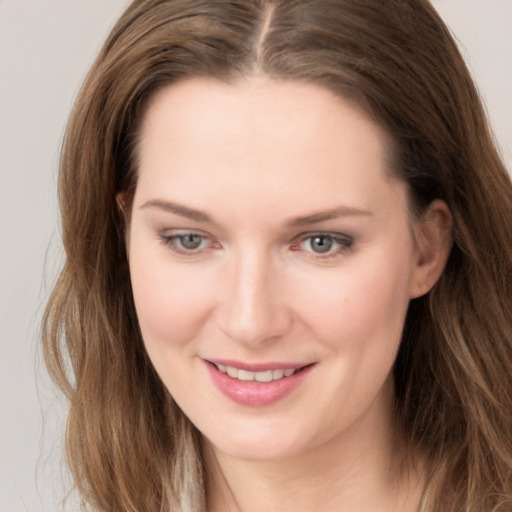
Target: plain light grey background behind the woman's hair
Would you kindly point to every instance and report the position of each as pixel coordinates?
(46, 47)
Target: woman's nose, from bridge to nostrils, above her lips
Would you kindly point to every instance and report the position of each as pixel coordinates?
(252, 308)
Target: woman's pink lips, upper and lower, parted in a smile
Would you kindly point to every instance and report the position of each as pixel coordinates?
(252, 393)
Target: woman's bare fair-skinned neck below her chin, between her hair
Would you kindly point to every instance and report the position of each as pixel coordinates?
(359, 470)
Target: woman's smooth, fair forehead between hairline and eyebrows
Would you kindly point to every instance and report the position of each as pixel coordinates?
(204, 137)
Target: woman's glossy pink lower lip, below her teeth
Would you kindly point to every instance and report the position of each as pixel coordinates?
(253, 393)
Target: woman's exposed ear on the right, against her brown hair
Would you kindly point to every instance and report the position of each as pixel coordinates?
(433, 241)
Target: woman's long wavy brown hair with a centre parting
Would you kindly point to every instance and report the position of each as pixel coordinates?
(129, 446)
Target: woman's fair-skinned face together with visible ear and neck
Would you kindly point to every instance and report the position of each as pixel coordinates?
(267, 233)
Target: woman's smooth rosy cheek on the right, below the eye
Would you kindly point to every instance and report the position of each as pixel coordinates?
(361, 305)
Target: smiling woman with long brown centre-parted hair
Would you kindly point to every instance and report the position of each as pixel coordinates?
(288, 266)
